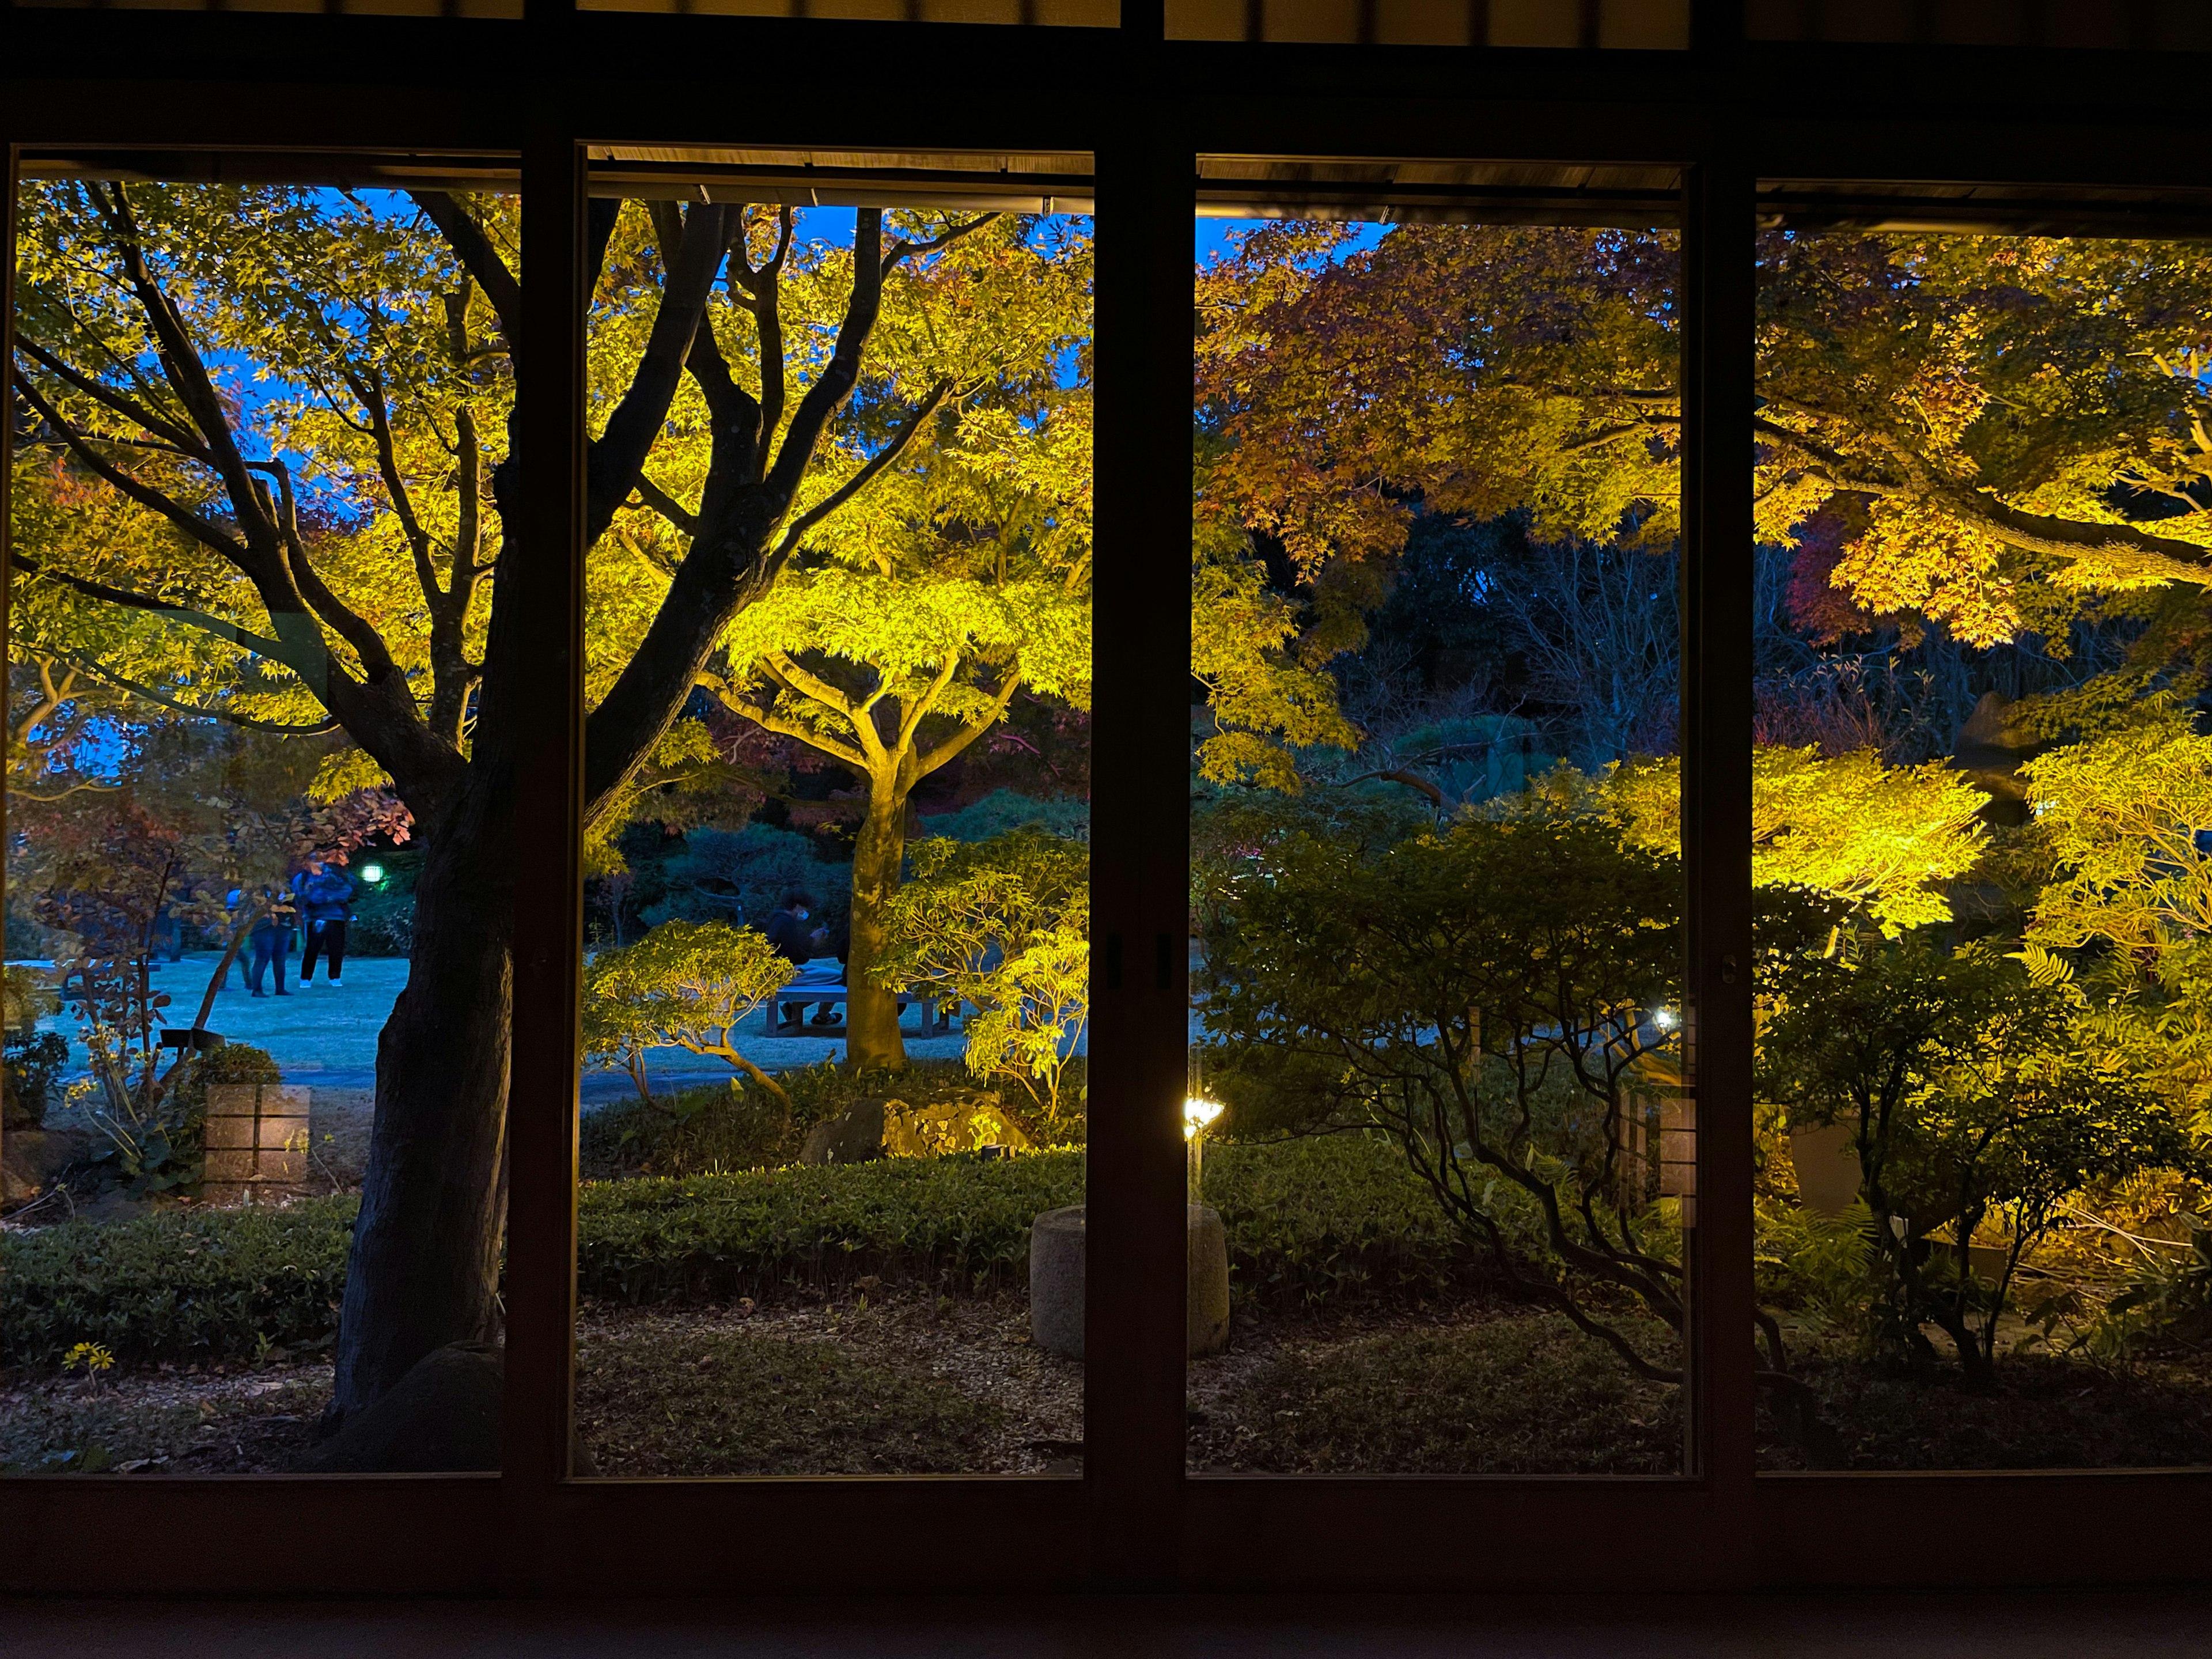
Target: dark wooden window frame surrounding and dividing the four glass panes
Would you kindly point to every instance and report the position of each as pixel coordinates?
(1724, 116)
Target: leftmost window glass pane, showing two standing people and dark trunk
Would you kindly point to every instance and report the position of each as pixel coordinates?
(258, 957)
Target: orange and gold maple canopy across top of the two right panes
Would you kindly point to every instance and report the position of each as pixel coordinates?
(1994, 435)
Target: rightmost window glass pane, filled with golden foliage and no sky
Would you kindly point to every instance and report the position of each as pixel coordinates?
(1981, 802)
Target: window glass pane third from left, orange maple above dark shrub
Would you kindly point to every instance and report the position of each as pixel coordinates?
(1441, 1145)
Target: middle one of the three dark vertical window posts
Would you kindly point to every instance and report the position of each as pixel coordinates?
(1140, 881)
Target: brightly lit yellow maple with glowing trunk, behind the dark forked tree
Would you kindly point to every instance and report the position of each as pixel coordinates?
(901, 632)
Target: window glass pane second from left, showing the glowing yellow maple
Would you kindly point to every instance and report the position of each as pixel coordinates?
(837, 881)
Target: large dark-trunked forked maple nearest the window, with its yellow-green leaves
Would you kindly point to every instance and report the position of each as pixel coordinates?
(311, 397)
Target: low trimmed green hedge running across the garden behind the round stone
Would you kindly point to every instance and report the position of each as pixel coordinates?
(1308, 1222)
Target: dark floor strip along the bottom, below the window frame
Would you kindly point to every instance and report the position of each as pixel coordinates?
(1890, 1627)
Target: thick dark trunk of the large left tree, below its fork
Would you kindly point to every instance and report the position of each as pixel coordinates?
(426, 1255)
